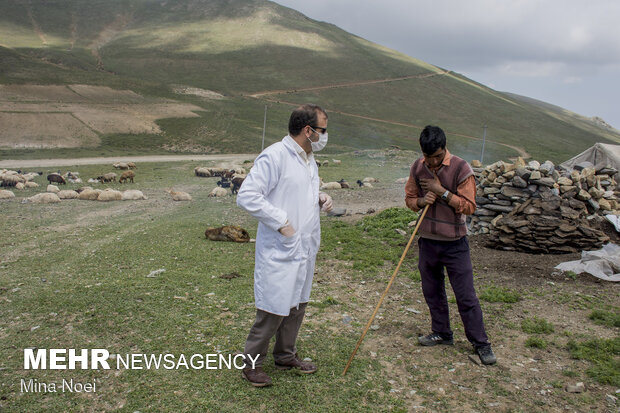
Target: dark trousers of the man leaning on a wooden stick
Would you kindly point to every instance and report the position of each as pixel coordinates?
(455, 258)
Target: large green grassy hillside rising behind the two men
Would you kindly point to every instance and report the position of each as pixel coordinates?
(239, 48)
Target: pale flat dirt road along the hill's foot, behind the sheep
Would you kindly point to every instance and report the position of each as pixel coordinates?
(36, 163)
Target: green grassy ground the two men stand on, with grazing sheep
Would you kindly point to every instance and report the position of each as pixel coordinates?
(75, 275)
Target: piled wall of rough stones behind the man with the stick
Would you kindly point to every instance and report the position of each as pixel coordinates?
(537, 208)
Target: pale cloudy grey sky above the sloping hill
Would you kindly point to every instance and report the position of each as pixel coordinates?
(564, 52)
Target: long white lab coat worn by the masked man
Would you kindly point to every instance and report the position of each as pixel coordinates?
(281, 187)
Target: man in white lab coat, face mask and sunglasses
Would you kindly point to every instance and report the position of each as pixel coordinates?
(282, 192)
